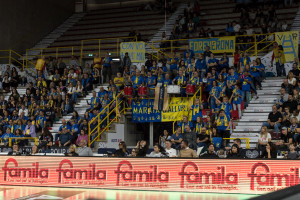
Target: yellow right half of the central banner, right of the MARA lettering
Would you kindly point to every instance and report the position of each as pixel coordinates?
(178, 107)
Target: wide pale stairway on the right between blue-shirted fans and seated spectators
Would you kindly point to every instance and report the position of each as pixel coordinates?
(257, 112)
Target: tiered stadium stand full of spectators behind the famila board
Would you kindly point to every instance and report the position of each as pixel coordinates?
(67, 101)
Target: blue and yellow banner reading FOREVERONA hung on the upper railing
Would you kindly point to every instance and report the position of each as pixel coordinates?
(217, 45)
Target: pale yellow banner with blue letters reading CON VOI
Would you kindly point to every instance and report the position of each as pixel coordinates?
(135, 50)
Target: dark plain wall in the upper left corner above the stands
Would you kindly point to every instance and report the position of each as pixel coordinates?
(25, 22)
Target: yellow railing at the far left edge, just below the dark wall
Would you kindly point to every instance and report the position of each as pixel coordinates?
(11, 56)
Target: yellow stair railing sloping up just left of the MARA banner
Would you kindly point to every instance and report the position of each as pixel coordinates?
(100, 121)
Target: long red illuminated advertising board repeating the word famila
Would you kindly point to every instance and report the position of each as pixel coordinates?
(190, 175)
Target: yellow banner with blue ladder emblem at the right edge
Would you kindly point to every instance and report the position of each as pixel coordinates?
(289, 41)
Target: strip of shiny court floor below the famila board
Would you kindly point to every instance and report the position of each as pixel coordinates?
(39, 193)
